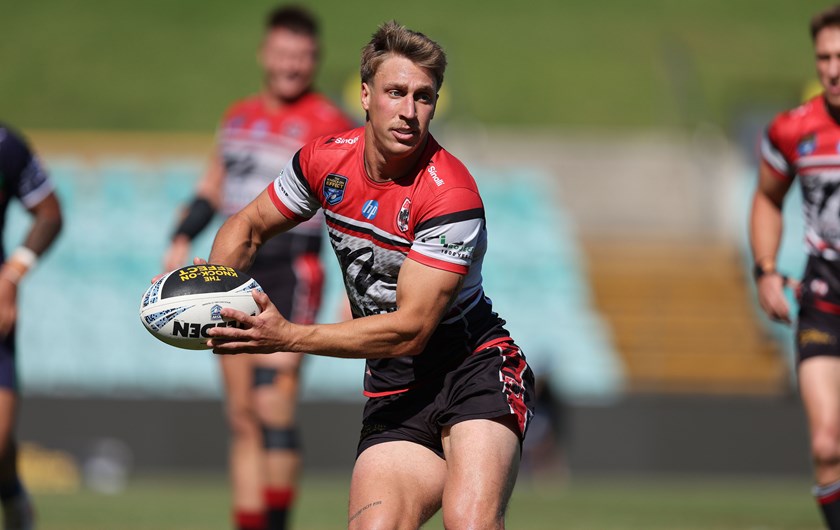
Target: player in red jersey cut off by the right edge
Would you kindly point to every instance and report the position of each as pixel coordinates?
(804, 144)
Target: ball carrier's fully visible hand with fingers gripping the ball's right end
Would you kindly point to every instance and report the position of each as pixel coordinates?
(266, 332)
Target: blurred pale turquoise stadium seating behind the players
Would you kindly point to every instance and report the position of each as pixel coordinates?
(119, 214)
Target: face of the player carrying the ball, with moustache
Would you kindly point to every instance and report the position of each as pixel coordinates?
(400, 103)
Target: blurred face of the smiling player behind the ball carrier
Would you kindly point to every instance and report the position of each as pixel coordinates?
(289, 61)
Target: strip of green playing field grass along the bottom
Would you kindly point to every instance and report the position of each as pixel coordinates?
(582, 504)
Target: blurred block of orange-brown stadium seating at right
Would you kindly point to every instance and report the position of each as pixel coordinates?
(683, 317)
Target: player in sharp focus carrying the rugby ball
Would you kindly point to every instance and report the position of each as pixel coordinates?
(449, 391)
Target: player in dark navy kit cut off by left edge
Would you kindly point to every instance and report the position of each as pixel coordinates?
(22, 177)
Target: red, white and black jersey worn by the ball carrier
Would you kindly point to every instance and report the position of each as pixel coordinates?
(434, 216)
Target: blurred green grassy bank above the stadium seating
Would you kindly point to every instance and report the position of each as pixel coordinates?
(162, 65)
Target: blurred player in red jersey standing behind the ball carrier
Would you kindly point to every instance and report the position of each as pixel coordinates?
(256, 137)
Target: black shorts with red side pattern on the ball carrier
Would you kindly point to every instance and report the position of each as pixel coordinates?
(491, 383)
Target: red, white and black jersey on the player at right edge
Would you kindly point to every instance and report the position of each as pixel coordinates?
(805, 143)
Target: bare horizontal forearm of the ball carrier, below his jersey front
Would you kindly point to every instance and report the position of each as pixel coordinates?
(372, 337)
